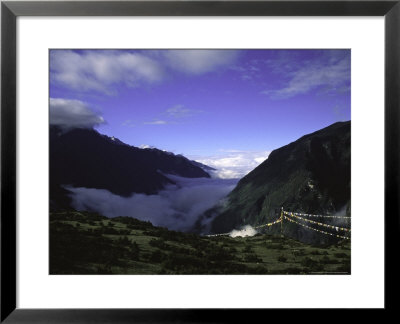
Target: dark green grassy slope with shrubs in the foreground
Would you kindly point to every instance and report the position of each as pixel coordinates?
(87, 243)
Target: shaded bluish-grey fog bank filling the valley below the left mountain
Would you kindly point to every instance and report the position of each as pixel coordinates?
(177, 207)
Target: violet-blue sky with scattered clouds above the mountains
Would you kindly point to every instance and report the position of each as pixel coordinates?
(201, 103)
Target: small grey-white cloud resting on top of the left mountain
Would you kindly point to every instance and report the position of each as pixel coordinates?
(69, 113)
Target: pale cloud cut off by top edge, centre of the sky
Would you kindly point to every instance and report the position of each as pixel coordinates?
(199, 61)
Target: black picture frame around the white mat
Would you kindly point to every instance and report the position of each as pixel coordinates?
(10, 10)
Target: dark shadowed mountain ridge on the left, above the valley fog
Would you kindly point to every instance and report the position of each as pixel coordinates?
(85, 158)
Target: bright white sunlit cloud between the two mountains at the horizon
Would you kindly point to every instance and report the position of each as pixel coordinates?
(233, 163)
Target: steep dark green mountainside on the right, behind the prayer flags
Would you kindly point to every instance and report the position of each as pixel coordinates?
(310, 175)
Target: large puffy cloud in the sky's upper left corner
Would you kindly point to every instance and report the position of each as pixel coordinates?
(102, 70)
